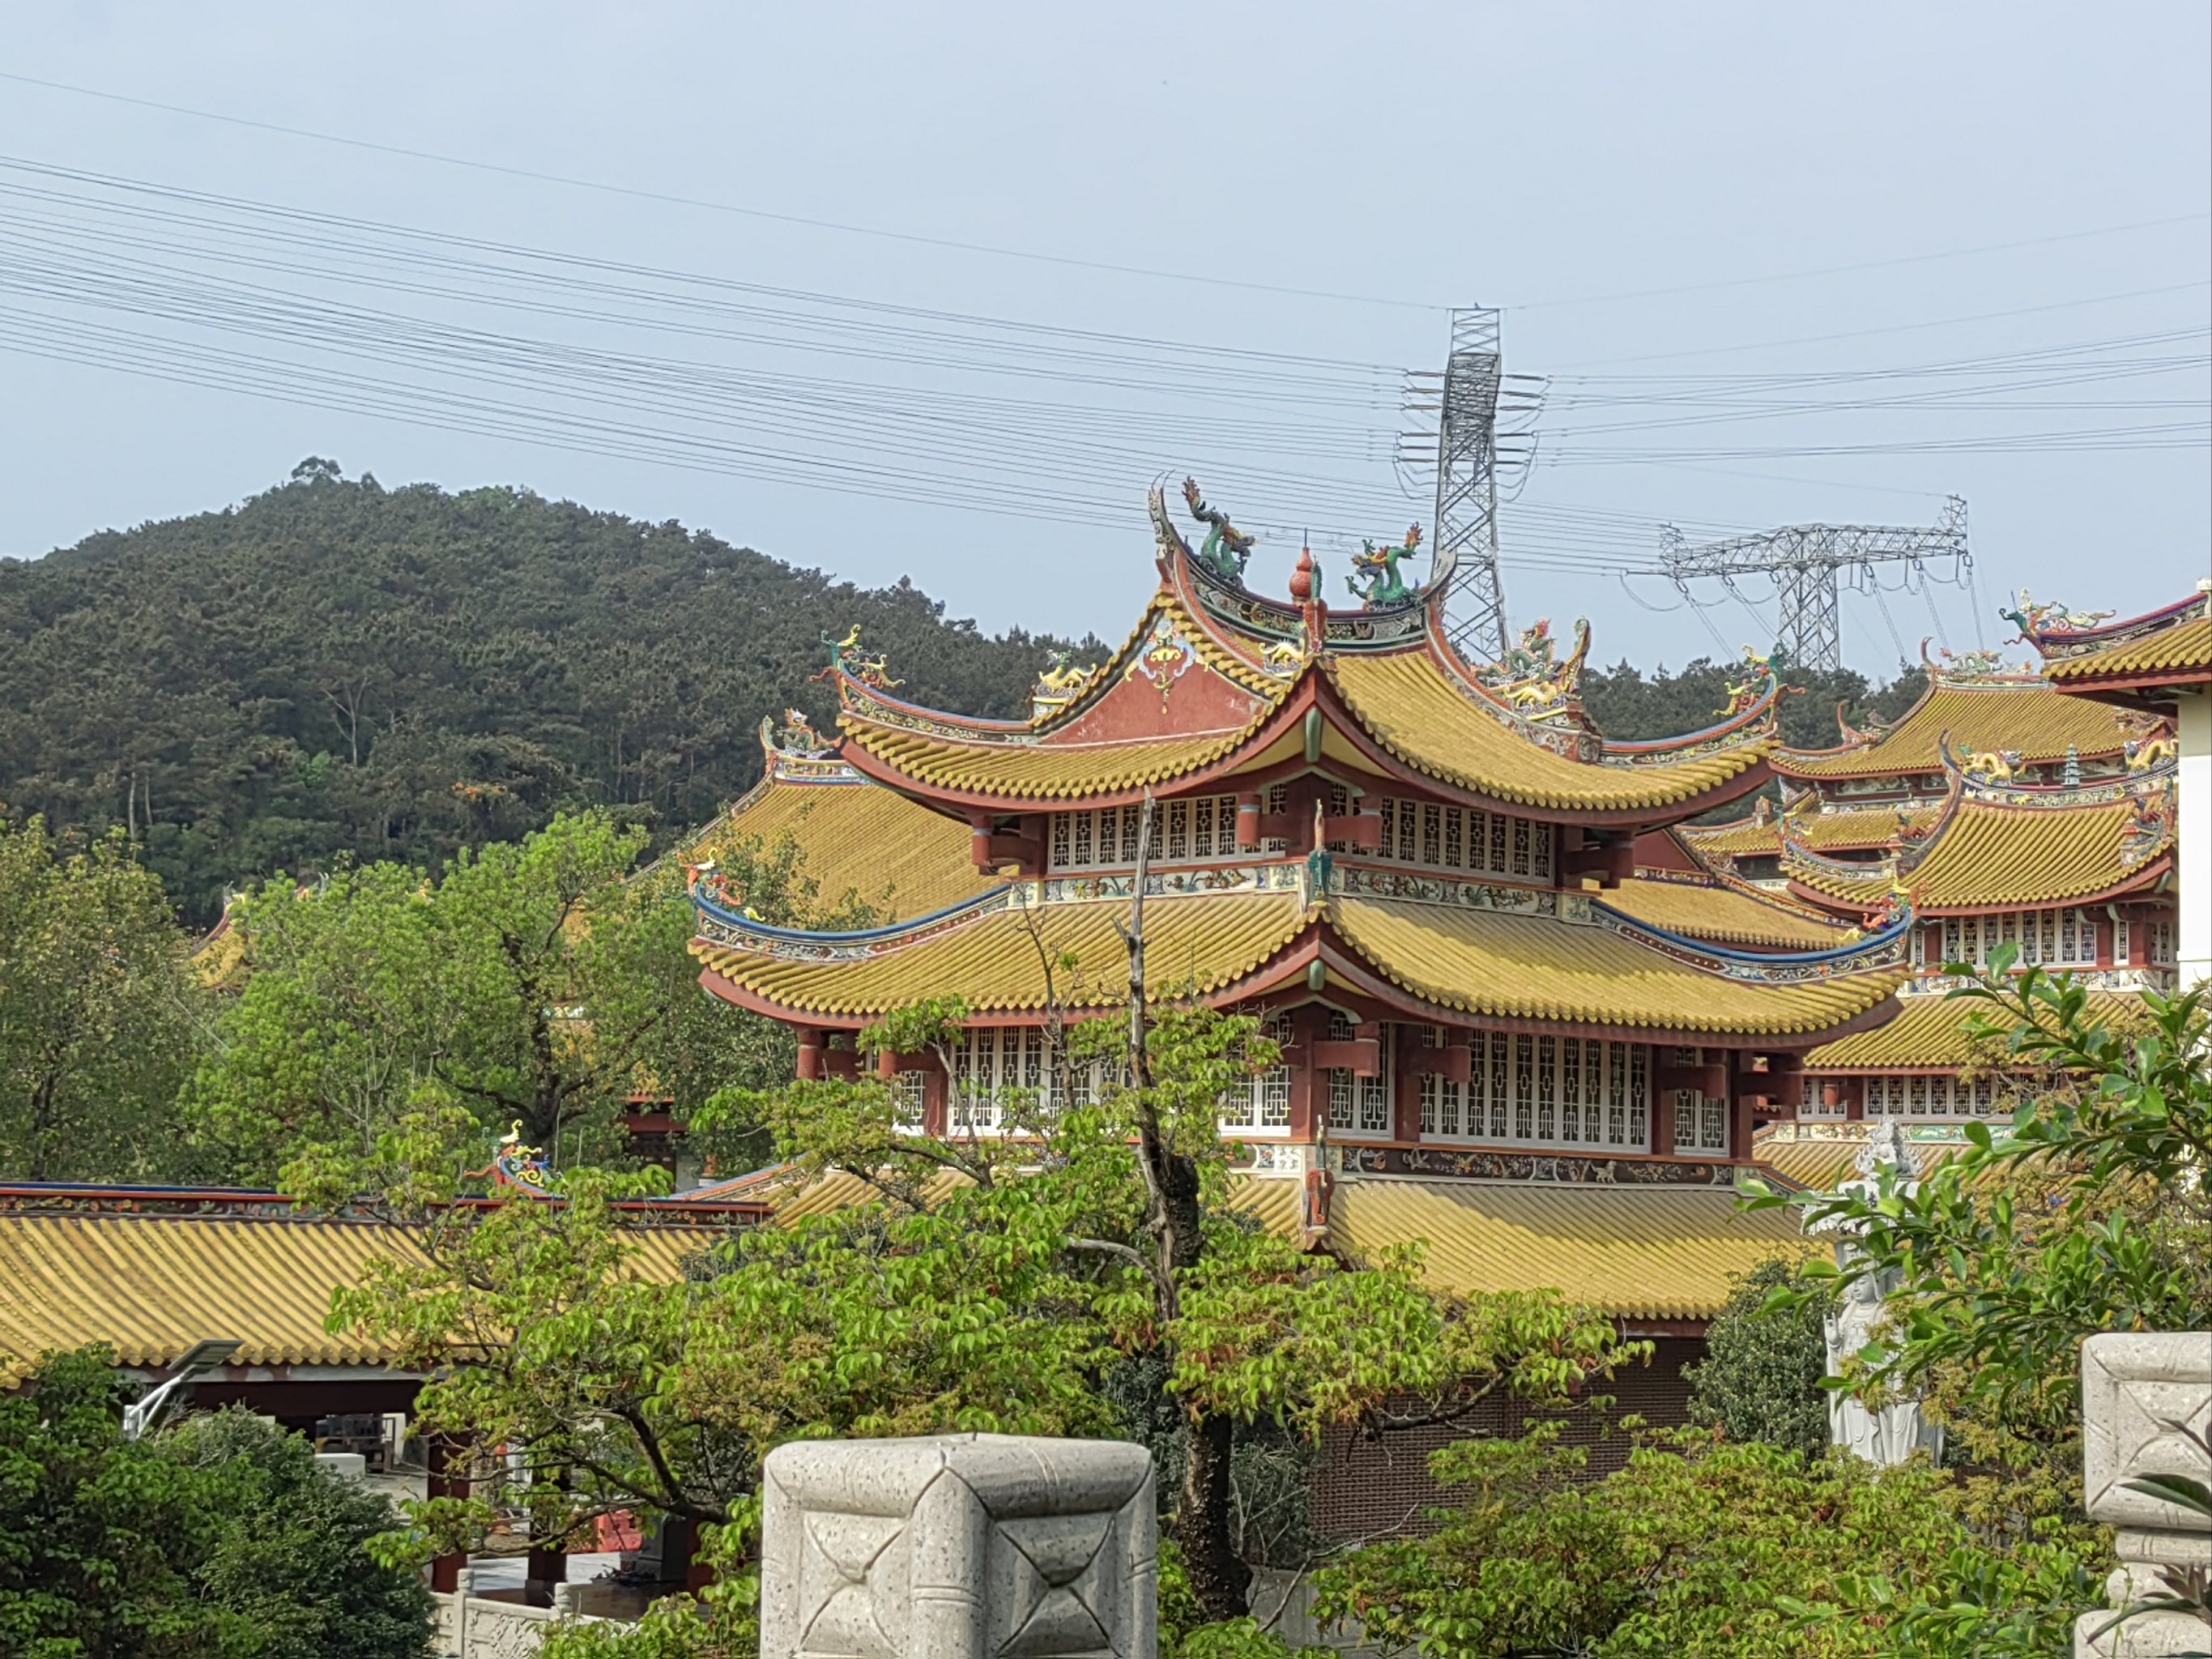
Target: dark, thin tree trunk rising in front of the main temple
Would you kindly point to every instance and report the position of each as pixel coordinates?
(1202, 1514)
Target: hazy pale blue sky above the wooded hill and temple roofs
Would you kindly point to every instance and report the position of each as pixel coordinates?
(1786, 171)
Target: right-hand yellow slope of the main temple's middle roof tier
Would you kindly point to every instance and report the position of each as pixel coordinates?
(1534, 968)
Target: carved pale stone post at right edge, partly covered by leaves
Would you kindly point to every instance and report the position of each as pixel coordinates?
(2136, 1390)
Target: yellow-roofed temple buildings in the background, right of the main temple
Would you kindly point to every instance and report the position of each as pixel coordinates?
(2003, 815)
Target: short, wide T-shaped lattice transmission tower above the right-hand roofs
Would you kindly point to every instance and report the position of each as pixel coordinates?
(1811, 565)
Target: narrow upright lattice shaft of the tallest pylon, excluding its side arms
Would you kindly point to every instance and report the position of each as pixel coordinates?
(1468, 488)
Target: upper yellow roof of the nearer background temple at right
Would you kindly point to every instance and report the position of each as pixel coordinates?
(1994, 855)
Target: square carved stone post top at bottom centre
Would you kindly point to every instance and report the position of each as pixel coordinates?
(959, 1547)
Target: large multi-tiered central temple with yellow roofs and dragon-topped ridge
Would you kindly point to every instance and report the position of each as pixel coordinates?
(1501, 1032)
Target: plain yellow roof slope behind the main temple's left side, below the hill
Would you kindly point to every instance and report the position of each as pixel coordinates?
(857, 839)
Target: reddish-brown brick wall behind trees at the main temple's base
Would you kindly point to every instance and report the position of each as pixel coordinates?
(1381, 1488)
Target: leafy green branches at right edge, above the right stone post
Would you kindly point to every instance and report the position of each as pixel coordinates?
(2087, 1218)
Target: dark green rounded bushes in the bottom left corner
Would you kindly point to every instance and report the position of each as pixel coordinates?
(218, 1541)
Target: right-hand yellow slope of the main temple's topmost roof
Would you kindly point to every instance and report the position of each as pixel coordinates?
(1430, 724)
